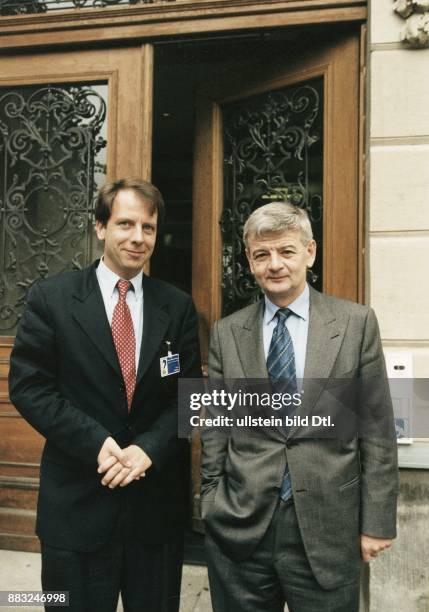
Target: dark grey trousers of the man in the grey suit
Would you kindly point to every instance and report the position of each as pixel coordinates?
(277, 572)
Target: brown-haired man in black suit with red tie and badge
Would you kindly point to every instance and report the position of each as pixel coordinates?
(94, 369)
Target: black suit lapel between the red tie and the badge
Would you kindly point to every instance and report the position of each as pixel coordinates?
(155, 324)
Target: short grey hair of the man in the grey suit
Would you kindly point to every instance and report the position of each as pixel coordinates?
(277, 217)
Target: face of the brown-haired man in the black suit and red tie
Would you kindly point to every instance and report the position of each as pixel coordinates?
(129, 235)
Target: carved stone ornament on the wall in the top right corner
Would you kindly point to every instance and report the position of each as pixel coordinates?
(416, 15)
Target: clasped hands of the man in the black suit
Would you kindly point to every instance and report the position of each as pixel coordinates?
(120, 466)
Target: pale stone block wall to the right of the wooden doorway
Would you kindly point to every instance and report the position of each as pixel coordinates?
(398, 262)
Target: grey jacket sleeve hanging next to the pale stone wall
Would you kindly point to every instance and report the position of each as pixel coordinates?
(378, 446)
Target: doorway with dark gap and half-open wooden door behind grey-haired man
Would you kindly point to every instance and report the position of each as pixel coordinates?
(242, 121)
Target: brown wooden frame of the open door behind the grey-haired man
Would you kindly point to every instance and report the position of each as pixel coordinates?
(339, 64)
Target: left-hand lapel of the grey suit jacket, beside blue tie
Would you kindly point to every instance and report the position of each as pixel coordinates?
(250, 343)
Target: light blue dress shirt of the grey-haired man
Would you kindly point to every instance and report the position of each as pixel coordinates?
(297, 324)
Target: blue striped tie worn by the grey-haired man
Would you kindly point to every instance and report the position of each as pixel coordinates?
(281, 369)
